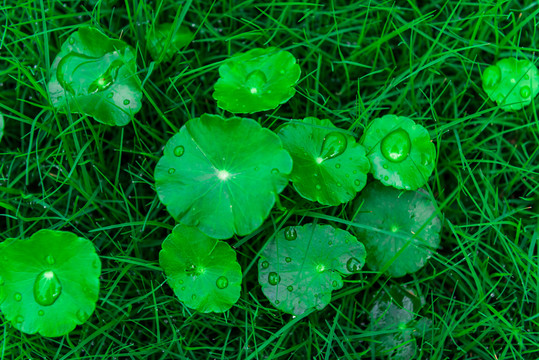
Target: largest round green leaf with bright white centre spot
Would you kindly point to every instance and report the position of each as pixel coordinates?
(222, 175)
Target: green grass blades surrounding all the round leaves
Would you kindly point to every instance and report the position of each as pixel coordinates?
(359, 61)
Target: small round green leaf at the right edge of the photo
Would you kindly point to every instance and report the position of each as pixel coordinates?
(511, 83)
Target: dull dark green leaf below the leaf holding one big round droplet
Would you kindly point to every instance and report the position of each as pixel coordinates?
(407, 228)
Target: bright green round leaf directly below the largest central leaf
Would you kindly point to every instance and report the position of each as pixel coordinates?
(203, 272)
